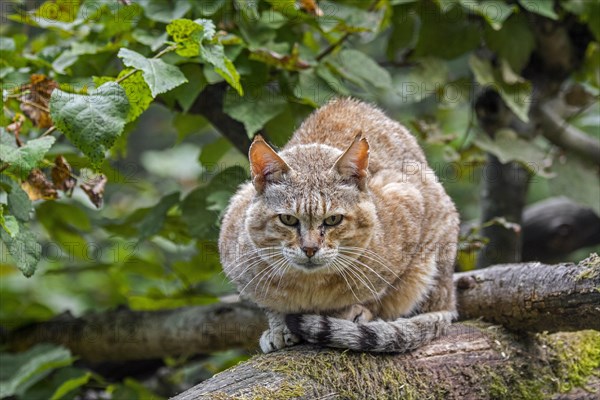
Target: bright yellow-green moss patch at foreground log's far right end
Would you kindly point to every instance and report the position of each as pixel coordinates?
(575, 356)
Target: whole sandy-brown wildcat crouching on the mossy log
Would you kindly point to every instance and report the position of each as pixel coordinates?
(345, 238)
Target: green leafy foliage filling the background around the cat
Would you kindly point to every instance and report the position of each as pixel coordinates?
(112, 181)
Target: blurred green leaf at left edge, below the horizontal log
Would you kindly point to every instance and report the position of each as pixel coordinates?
(21, 370)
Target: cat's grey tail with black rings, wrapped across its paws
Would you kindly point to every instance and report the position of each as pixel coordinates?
(397, 336)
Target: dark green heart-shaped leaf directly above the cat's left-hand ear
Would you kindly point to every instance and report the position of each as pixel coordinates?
(253, 110)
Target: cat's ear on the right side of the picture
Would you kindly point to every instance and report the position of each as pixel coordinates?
(353, 164)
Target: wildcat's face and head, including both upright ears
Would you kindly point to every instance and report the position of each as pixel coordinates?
(312, 208)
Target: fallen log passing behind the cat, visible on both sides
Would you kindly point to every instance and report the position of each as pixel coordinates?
(529, 296)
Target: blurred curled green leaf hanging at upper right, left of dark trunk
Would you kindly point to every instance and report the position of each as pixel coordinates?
(515, 91)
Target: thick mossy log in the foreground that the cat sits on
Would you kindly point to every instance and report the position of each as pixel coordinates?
(471, 362)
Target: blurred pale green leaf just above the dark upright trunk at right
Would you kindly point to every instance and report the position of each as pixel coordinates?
(507, 146)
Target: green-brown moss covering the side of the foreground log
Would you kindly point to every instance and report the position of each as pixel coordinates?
(568, 360)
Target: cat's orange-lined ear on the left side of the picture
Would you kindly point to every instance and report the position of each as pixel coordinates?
(265, 165)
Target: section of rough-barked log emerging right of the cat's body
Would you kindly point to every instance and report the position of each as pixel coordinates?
(533, 297)
